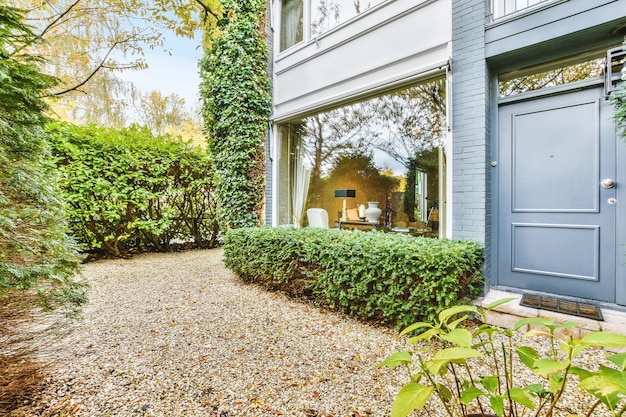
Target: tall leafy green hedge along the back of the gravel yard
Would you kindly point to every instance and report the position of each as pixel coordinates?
(129, 188)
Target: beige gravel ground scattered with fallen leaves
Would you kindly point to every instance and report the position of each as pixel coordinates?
(179, 335)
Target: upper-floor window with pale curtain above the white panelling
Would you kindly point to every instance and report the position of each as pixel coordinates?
(307, 19)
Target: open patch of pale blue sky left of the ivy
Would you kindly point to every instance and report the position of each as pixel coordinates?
(171, 74)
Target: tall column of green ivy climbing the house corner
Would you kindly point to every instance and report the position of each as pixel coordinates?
(236, 96)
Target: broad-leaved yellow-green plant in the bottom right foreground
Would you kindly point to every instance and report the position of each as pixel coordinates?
(476, 372)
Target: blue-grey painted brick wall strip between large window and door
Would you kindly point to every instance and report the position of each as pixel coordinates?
(470, 127)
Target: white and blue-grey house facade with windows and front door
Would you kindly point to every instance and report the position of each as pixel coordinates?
(491, 114)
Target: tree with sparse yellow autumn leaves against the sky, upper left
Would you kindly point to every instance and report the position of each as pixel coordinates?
(87, 42)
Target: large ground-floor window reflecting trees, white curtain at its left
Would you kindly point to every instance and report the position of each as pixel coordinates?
(387, 149)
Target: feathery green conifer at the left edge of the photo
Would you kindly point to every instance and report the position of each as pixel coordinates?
(34, 248)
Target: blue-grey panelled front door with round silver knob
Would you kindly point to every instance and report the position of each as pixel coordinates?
(559, 226)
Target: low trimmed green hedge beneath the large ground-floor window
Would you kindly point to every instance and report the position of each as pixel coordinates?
(385, 278)
